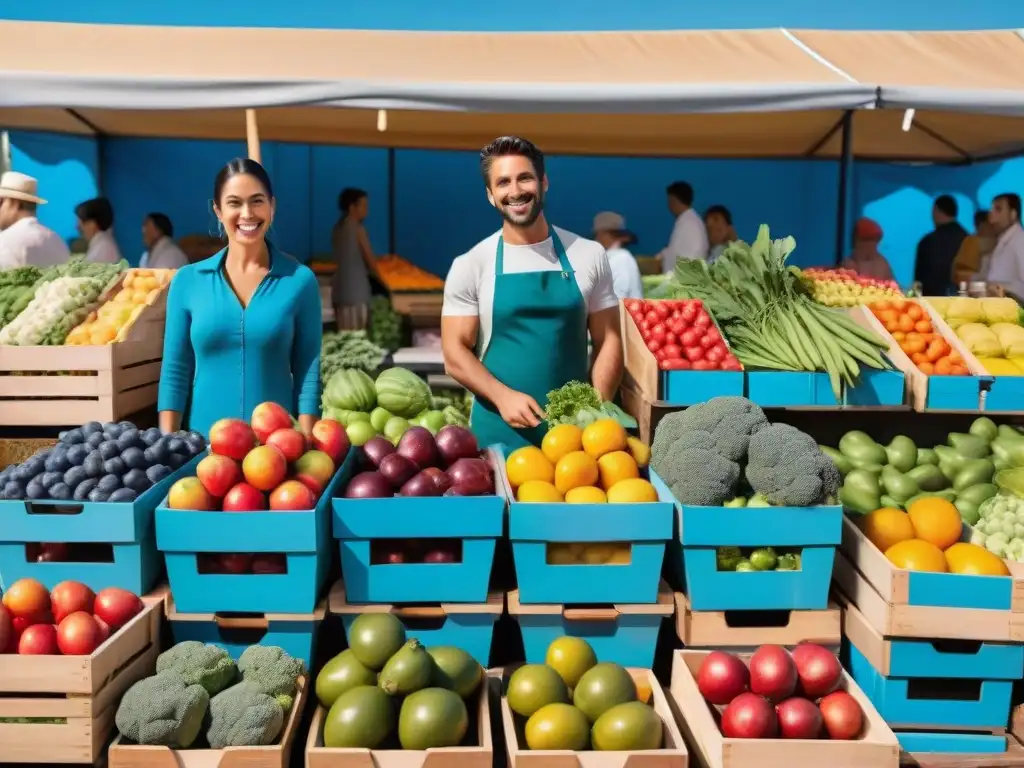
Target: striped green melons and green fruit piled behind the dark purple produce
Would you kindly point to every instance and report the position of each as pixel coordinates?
(397, 401)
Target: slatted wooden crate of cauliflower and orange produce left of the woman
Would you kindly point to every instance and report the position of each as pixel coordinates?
(71, 386)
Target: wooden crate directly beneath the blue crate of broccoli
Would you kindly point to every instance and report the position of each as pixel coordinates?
(710, 629)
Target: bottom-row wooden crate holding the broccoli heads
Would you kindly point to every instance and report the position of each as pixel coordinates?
(123, 755)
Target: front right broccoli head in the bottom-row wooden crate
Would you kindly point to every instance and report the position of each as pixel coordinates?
(243, 716)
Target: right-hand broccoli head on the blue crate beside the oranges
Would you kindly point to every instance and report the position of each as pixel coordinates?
(789, 468)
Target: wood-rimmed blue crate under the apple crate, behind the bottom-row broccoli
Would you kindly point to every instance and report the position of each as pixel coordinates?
(296, 634)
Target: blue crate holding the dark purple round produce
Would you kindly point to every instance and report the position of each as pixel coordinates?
(478, 522)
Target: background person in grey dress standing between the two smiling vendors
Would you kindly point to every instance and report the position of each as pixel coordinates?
(355, 262)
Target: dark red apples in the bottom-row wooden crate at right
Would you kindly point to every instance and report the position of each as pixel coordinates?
(777, 695)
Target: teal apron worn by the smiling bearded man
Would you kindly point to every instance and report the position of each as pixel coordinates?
(538, 344)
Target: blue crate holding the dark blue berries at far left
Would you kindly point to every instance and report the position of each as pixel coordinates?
(129, 528)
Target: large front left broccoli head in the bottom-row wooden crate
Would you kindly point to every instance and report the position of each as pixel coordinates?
(162, 711)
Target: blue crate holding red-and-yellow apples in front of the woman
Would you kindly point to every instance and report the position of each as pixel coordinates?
(304, 537)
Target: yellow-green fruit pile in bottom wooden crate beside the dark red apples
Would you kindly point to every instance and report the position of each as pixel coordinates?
(572, 702)
